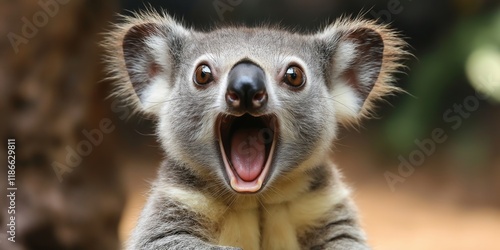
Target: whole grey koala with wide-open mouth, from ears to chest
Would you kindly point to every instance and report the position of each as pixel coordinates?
(246, 117)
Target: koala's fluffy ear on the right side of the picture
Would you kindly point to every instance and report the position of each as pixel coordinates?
(362, 58)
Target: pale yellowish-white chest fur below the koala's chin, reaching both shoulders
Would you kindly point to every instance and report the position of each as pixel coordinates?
(266, 222)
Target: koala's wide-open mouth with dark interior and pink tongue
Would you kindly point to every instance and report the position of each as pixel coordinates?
(247, 146)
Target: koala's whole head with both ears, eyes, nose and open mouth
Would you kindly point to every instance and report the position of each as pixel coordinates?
(245, 105)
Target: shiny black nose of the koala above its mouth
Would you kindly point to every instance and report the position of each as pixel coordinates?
(246, 90)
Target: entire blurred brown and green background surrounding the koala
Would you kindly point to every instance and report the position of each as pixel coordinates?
(425, 173)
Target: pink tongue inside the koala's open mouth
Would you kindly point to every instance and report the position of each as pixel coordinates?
(248, 153)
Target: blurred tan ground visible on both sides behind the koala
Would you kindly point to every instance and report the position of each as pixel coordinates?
(424, 213)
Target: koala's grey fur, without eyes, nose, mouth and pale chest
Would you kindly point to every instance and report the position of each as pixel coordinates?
(162, 57)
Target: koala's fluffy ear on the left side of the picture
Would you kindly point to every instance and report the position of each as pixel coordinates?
(142, 52)
